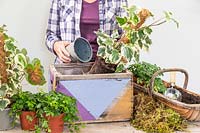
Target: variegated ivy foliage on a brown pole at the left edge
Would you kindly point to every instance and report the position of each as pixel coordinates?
(15, 65)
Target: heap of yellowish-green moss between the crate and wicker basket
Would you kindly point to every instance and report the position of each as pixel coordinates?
(153, 117)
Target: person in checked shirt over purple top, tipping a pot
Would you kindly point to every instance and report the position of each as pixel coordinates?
(70, 19)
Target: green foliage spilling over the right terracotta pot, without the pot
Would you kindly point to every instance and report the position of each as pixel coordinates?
(54, 104)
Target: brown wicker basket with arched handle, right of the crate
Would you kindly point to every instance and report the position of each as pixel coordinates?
(189, 107)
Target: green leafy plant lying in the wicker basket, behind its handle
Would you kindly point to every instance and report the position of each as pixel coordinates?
(144, 71)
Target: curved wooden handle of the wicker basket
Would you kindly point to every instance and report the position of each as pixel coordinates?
(150, 89)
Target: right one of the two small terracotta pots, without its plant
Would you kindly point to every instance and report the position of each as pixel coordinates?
(56, 123)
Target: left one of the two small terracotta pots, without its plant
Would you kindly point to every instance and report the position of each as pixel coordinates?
(27, 124)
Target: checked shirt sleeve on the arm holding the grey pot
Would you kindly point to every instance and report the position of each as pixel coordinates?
(53, 30)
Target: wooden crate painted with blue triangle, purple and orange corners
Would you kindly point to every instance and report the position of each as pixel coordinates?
(100, 97)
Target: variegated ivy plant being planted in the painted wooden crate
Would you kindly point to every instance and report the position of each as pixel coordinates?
(124, 50)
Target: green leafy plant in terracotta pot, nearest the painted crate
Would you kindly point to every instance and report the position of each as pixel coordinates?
(54, 109)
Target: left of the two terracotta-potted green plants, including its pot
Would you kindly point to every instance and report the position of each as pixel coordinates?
(24, 106)
